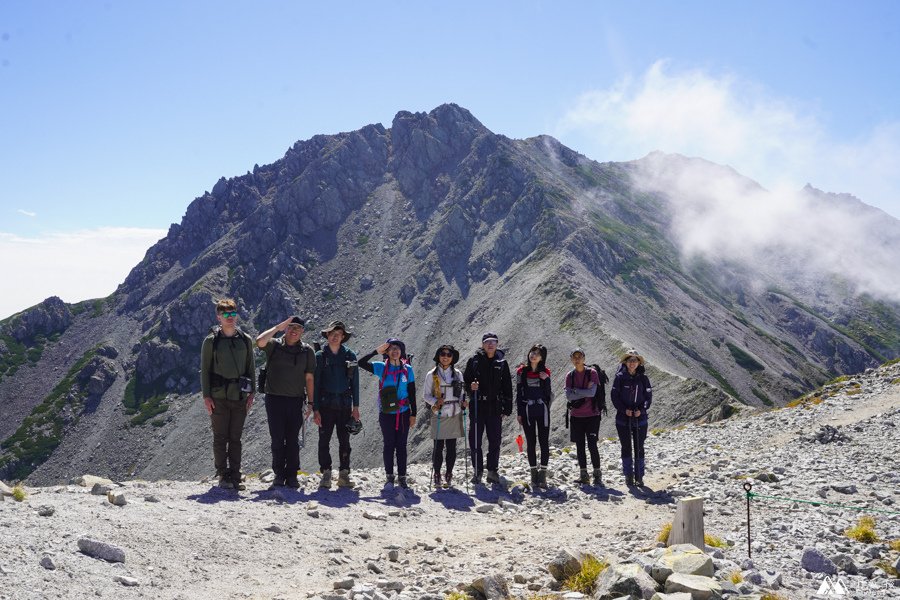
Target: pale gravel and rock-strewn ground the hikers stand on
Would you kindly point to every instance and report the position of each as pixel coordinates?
(812, 463)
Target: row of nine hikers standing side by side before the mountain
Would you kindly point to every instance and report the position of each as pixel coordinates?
(298, 380)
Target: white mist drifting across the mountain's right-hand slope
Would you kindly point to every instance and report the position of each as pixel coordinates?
(797, 236)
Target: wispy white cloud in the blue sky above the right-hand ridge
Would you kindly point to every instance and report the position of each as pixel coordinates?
(728, 120)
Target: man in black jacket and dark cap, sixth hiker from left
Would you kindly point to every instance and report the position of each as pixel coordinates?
(489, 383)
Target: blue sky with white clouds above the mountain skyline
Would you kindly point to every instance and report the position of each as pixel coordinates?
(115, 115)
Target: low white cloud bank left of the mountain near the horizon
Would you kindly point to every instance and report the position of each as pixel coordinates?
(74, 265)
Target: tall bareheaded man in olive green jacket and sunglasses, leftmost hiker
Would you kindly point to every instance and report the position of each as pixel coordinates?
(227, 381)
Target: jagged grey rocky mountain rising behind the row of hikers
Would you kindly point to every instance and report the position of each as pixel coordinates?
(432, 231)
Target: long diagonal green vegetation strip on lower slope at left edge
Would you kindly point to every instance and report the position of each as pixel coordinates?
(41, 432)
